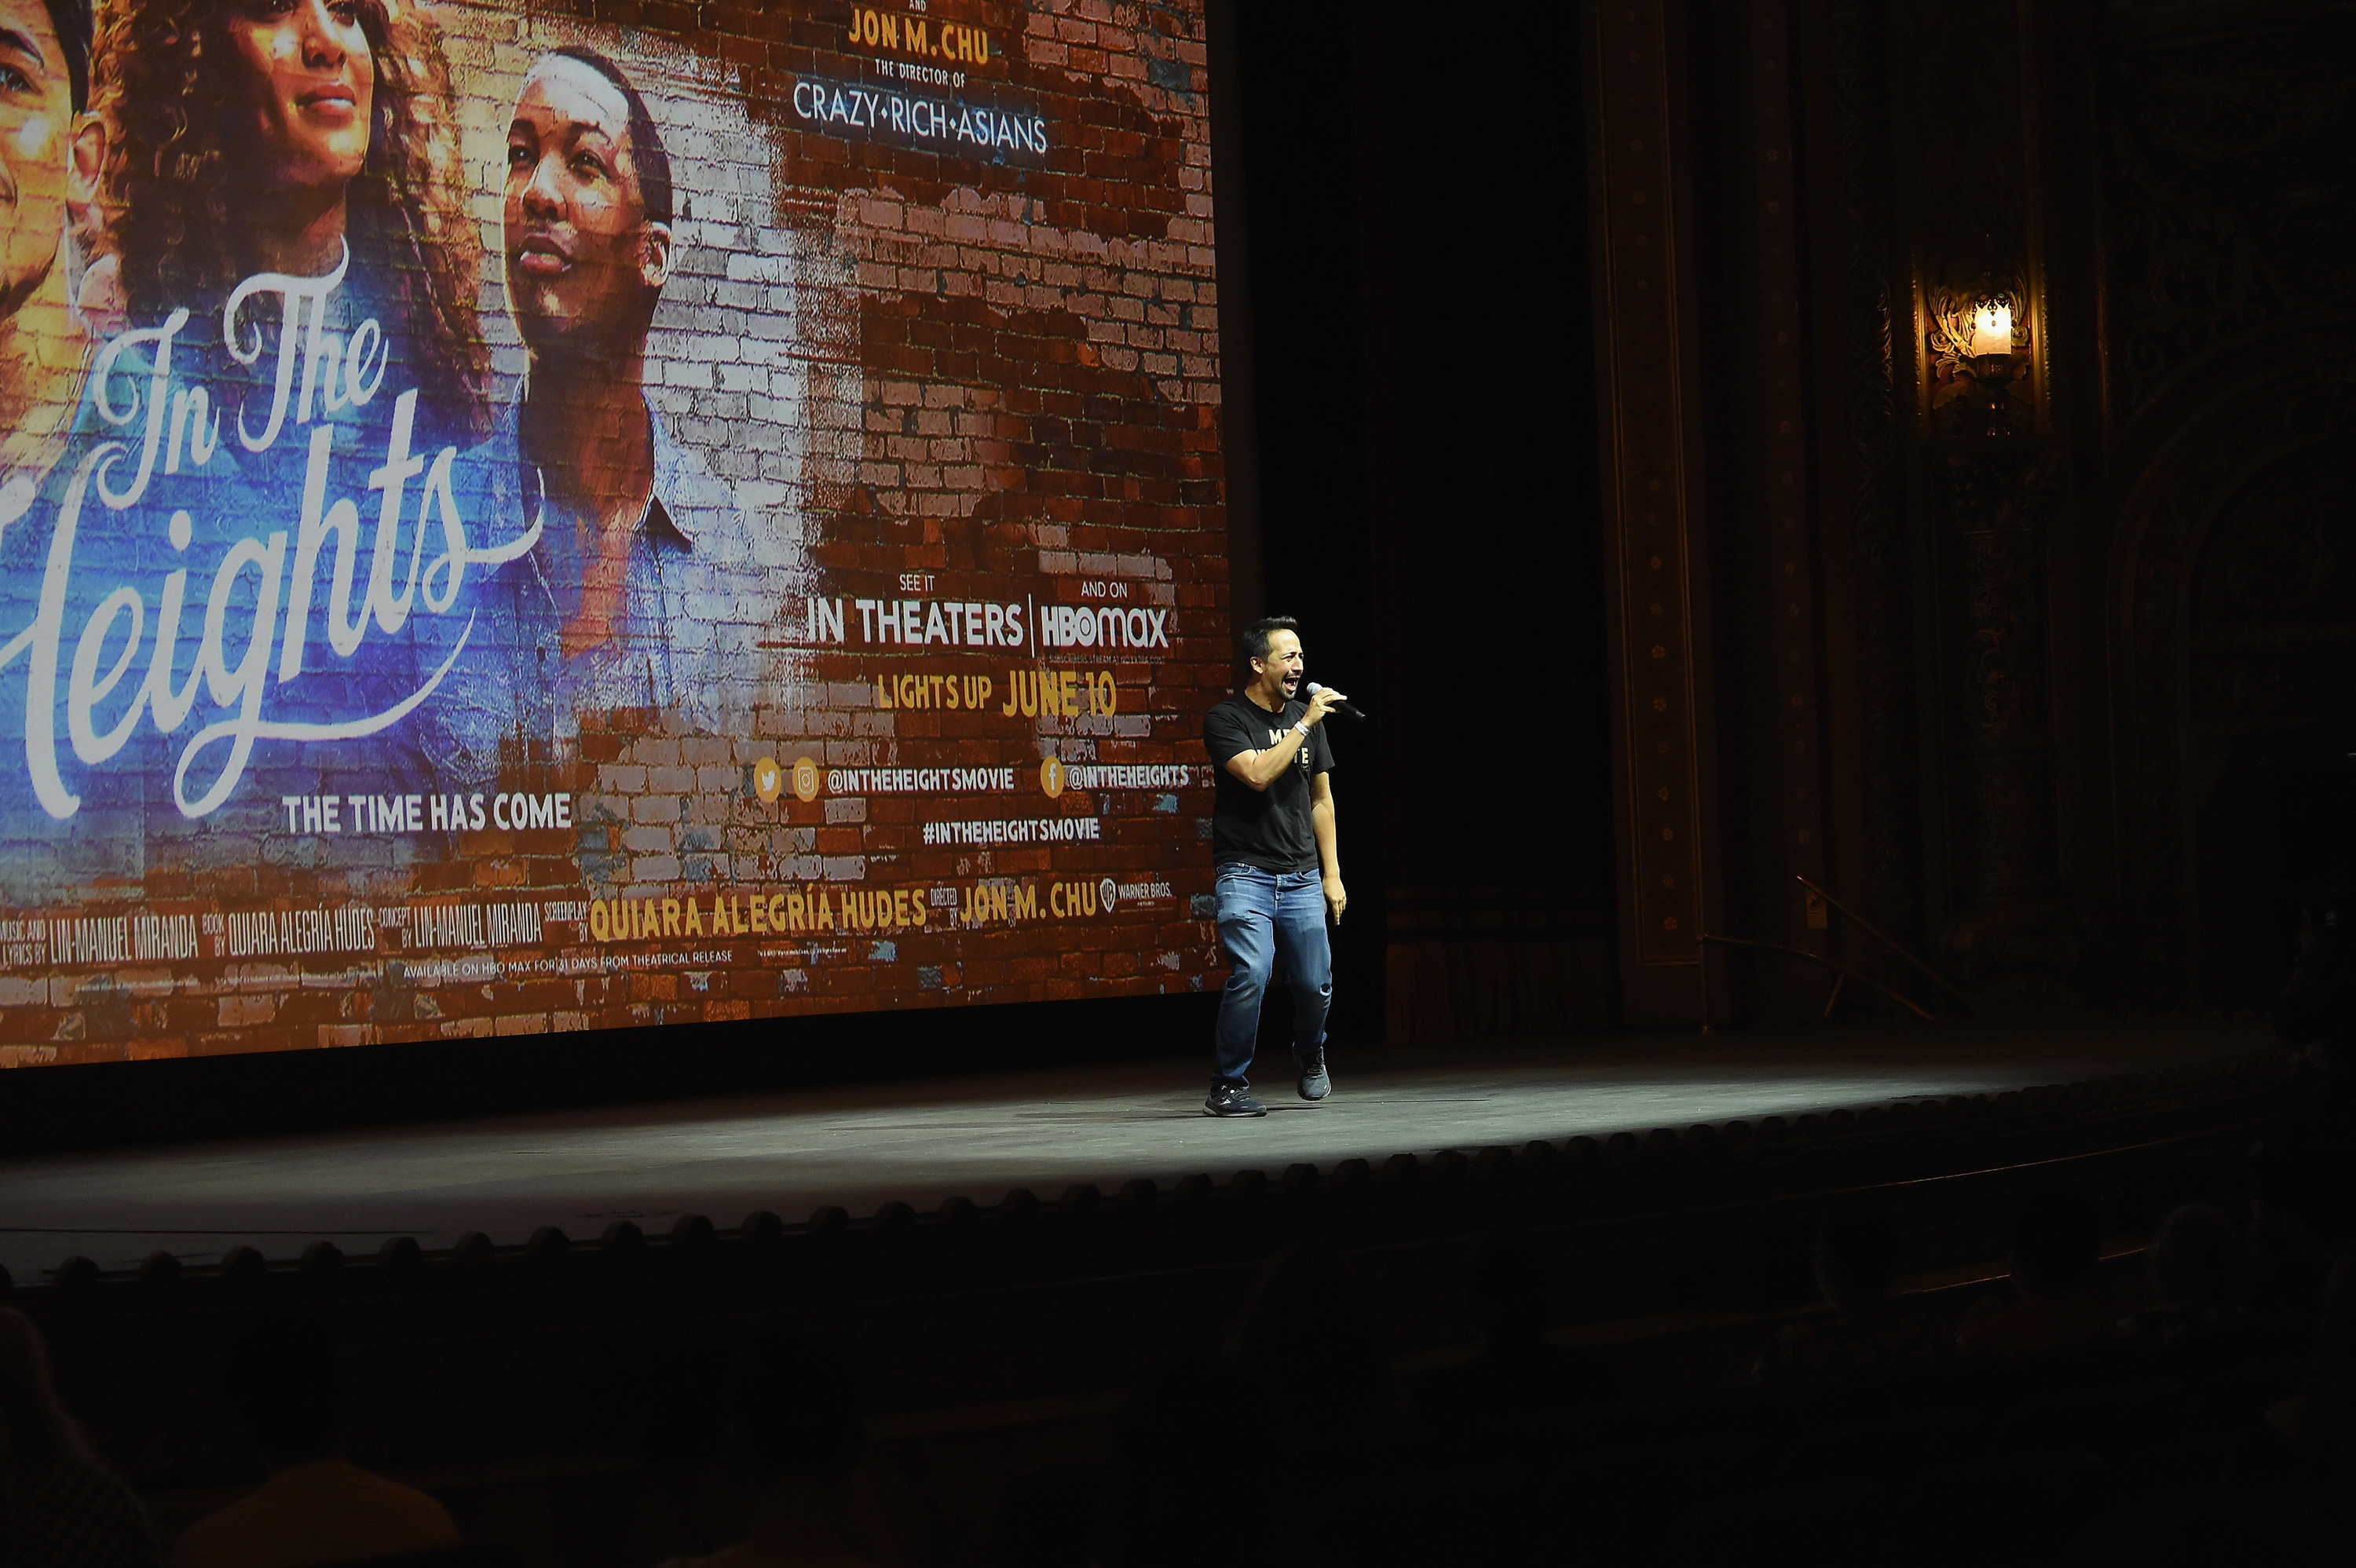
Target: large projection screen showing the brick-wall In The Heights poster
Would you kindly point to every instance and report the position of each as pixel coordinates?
(515, 524)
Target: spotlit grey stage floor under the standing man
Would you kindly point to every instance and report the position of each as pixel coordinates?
(981, 1136)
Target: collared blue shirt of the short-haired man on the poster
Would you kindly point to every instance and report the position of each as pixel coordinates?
(696, 606)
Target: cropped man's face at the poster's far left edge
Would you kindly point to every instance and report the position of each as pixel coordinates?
(37, 135)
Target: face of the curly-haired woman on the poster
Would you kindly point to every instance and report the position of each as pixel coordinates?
(312, 86)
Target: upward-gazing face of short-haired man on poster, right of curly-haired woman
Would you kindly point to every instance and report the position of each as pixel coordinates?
(581, 255)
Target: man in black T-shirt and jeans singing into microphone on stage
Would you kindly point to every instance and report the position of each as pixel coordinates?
(1278, 868)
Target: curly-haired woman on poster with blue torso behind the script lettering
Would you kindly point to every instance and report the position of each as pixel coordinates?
(289, 239)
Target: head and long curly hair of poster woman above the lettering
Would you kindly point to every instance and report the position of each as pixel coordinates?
(265, 138)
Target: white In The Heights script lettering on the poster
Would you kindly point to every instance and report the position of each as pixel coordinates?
(183, 432)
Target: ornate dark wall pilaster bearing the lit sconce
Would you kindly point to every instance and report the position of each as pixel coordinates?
(1992, 481)
